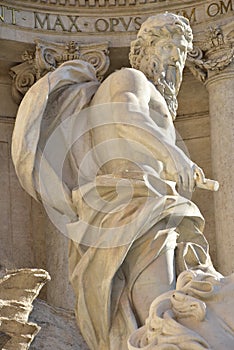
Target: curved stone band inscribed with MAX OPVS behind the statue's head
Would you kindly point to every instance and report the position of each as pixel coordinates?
(78, 24)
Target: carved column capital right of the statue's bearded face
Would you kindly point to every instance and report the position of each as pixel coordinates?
(213, 54)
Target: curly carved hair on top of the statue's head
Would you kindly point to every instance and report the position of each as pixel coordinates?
(164, 25)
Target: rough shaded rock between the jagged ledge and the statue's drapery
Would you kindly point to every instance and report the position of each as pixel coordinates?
(58, 328)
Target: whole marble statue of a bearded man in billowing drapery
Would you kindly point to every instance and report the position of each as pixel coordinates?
(122, 190)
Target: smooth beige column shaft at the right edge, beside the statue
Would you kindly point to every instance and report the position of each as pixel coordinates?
(221, 103)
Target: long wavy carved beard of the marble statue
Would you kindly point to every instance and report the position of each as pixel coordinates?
(166, 78)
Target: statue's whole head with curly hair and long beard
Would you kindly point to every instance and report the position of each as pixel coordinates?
(160, 52)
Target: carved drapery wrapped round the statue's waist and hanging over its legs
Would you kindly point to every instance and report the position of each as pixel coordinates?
(104, 308)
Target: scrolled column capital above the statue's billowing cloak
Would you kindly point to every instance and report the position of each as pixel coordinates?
(48, 56)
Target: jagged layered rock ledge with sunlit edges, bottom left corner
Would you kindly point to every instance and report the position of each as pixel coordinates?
(18, 289)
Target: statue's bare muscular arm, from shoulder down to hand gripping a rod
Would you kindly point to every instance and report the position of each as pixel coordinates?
(132, 87)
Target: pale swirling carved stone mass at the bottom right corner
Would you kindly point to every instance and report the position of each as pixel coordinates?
(197, 315)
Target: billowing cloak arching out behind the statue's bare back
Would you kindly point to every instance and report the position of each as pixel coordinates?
(45, 111)
